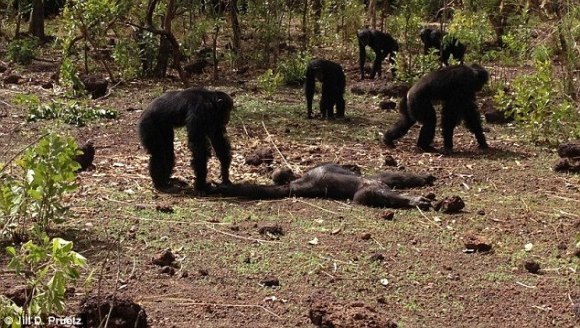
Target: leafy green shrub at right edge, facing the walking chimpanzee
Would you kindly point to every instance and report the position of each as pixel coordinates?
(538, 103)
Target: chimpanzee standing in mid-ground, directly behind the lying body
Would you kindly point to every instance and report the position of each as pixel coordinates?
(333, 85)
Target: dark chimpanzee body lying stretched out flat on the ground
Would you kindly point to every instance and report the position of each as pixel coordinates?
(337, 182)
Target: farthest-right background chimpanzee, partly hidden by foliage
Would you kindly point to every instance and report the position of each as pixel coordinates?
(432, 38)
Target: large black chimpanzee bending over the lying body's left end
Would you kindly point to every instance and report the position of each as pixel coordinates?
(205, 115)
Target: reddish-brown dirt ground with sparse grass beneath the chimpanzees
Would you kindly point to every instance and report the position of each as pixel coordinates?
(325, 263)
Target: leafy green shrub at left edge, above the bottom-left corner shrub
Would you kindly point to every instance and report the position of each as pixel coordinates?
(32, 197)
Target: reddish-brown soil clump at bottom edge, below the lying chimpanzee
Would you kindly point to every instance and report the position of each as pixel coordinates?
(325, 312)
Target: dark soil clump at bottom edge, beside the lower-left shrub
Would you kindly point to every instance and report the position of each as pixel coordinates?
(123, 313)
